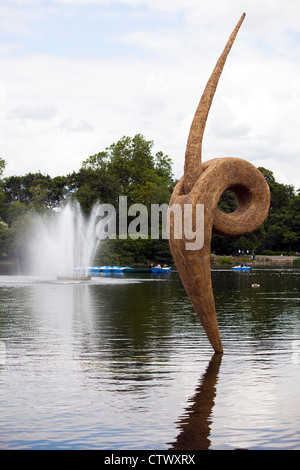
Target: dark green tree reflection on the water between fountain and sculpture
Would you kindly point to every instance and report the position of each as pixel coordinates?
(139, 315)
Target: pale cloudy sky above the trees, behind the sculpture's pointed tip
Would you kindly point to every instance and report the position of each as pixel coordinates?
(78, 75)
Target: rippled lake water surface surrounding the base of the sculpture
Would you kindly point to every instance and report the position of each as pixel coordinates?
(123, 363)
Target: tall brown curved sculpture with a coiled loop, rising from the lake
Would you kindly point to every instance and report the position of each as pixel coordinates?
(204, 183)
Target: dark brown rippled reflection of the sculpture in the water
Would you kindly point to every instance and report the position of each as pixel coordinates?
(195, 424)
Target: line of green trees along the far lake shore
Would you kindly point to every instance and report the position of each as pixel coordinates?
(129, 168)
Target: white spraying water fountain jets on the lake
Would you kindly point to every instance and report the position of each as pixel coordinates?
(64, 243)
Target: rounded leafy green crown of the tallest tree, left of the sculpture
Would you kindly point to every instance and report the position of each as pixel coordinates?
(126, 168)
